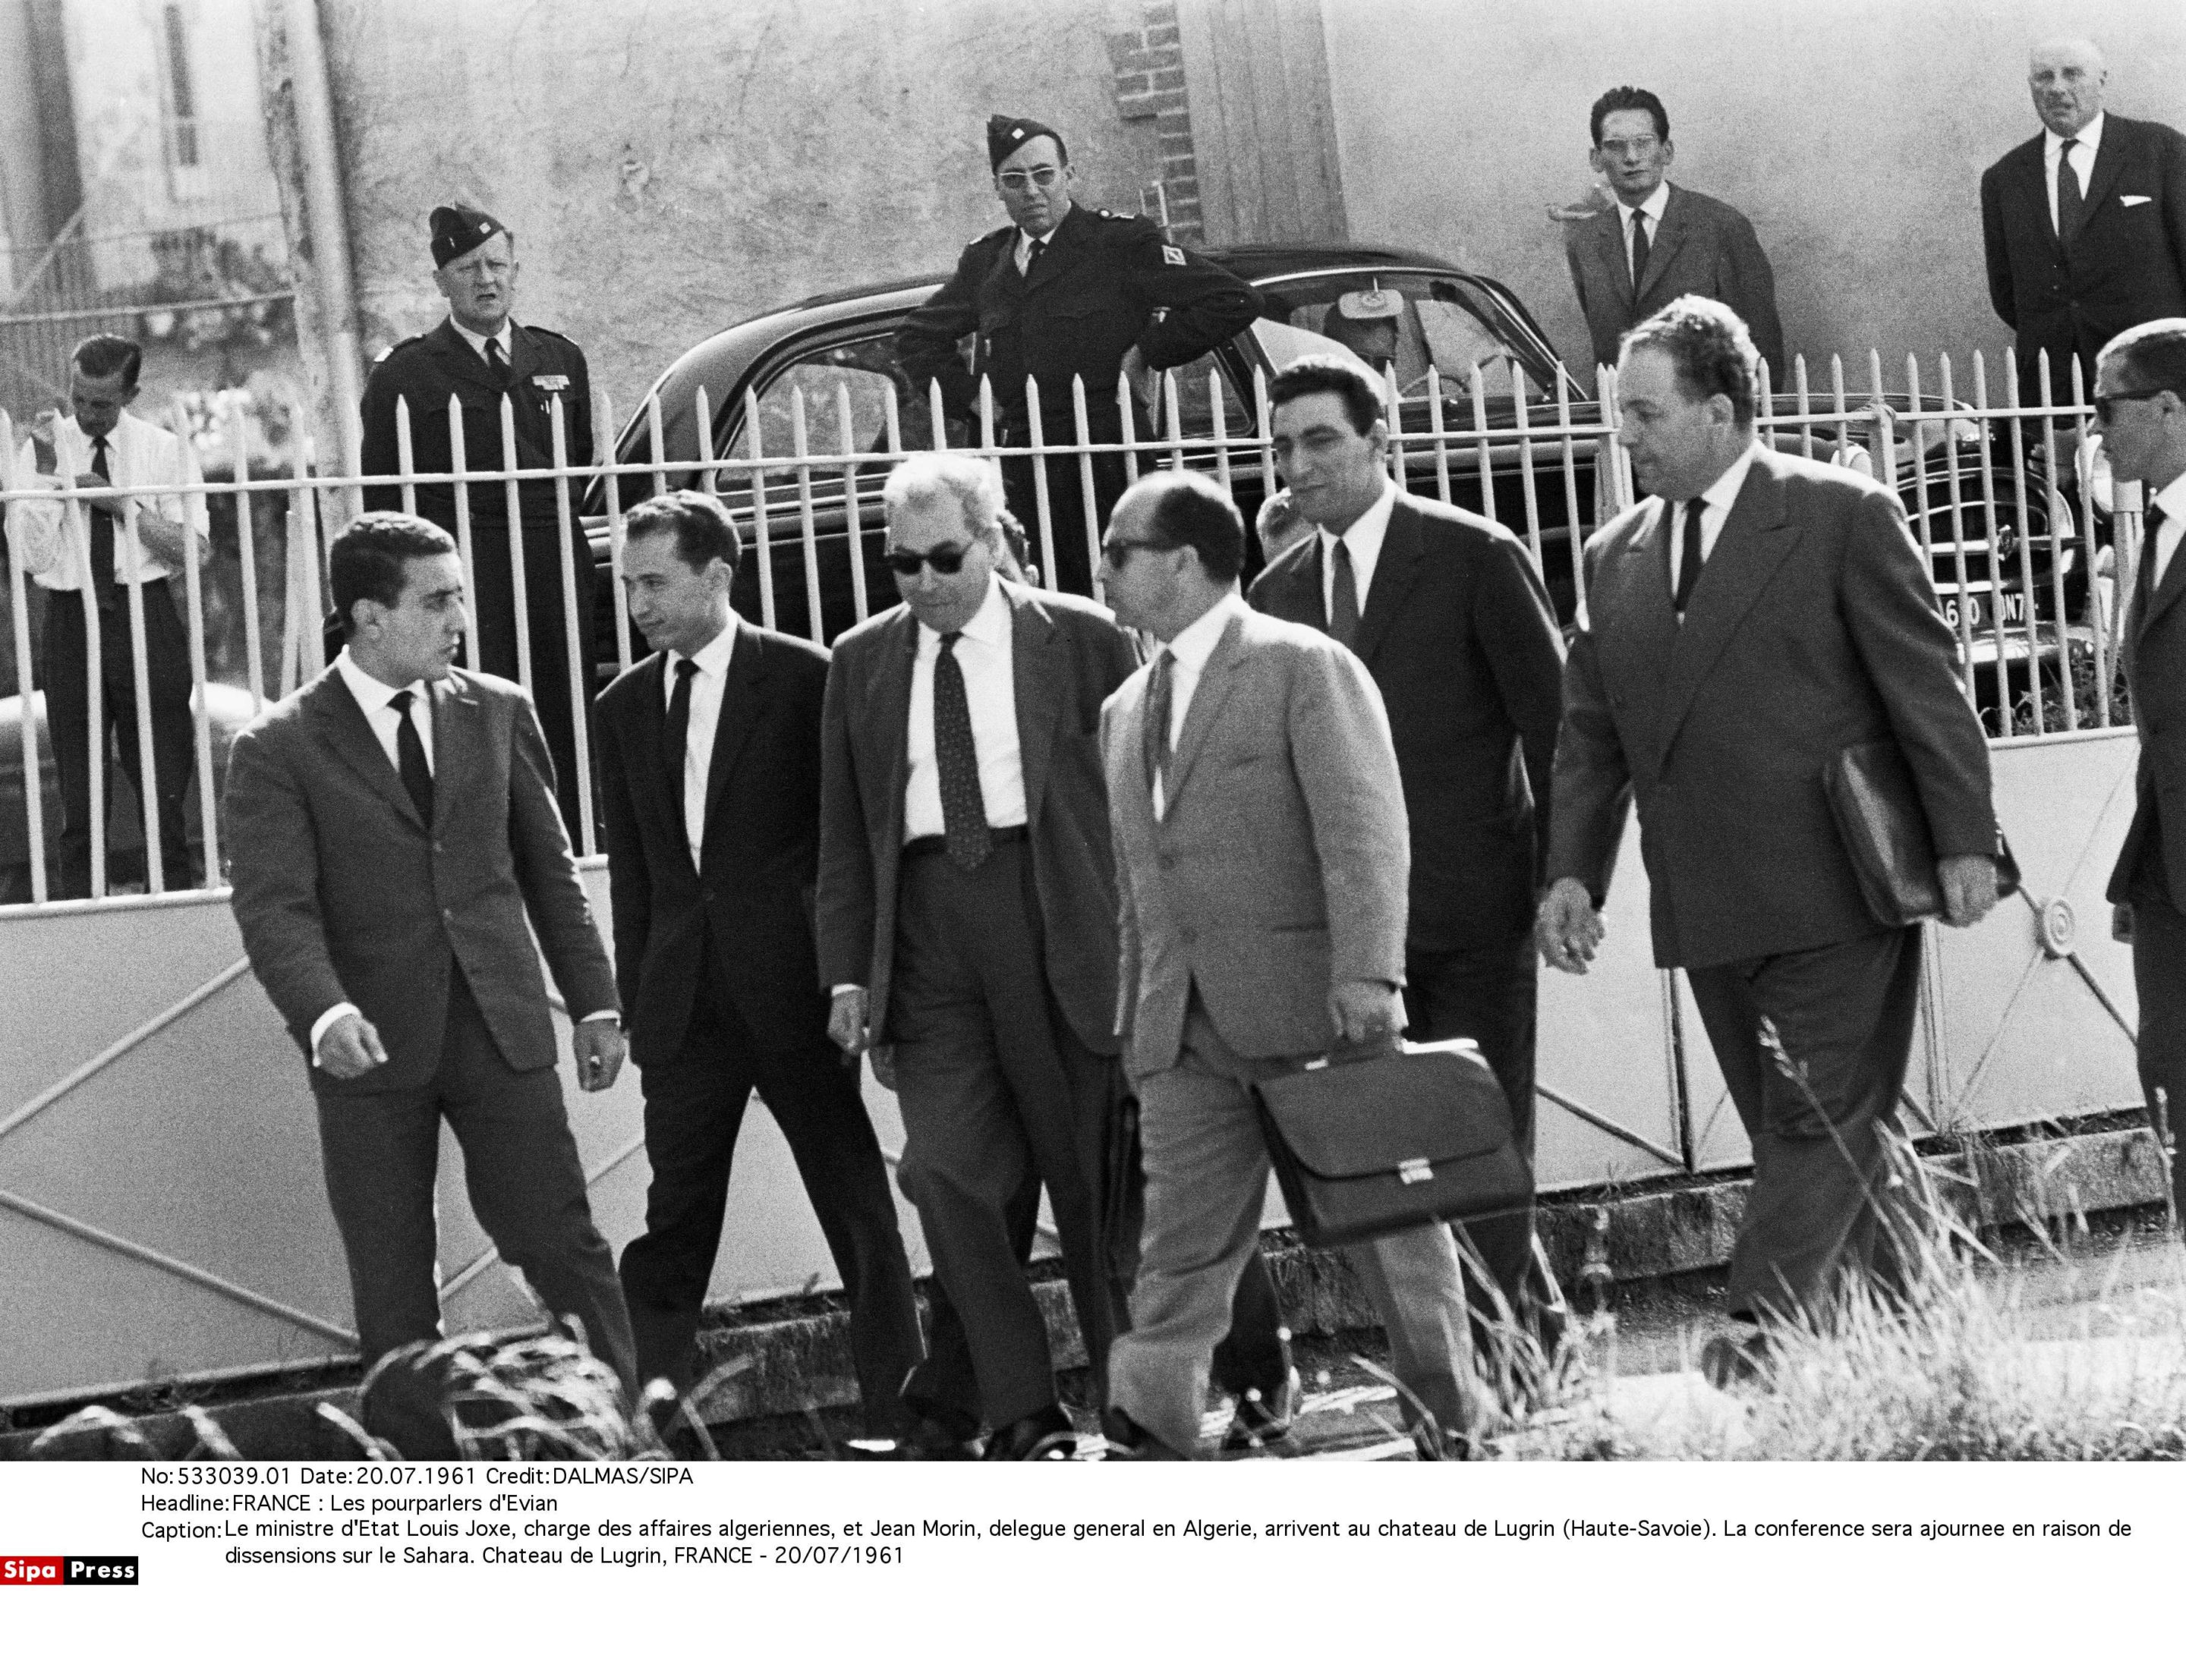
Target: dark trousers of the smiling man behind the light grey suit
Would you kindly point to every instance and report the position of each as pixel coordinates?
(1490, 995)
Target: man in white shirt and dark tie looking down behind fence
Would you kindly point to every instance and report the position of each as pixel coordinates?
(86, 556)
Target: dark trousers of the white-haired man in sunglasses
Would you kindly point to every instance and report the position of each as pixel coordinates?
(996, 1089)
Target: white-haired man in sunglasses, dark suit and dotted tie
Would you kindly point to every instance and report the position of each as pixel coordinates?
(967, 936)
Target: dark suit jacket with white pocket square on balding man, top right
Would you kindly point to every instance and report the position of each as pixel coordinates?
(2126, 263)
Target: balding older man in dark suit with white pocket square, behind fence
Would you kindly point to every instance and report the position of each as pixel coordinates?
(2080, 257)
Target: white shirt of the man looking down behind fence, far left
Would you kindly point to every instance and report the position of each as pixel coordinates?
(54, 545)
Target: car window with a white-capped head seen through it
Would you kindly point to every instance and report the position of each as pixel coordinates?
(1398, 320)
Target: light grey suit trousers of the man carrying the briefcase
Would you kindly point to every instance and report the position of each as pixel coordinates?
(1206, 1185)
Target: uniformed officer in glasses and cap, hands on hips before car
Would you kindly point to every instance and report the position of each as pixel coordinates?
(1066, 292)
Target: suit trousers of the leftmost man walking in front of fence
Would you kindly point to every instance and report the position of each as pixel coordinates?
(526, 1185)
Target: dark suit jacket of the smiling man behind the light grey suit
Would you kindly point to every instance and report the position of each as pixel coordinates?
(1461, 641)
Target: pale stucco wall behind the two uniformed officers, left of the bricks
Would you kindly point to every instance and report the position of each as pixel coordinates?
(674, 167)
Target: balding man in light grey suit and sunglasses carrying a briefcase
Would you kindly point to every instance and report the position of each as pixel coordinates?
(1262, 864)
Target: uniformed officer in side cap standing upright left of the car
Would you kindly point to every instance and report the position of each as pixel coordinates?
(482, 355)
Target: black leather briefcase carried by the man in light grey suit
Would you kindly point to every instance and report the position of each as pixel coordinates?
(1385, 1139)
